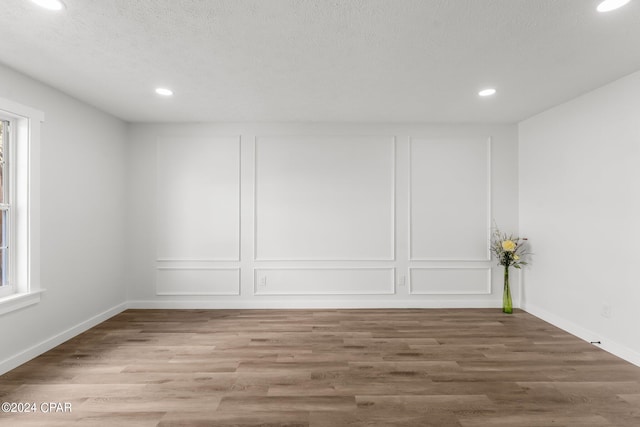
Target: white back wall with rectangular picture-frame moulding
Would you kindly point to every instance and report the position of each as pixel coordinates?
(317, 215)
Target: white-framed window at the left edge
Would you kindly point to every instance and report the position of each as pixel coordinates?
(19, 206)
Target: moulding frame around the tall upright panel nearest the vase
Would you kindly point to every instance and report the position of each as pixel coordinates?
(486, 196)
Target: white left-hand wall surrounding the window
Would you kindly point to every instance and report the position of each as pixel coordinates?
(82, 221)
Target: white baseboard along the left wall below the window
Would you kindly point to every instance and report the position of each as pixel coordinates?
(46, 345)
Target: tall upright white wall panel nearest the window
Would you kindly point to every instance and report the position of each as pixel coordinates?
(198, 199)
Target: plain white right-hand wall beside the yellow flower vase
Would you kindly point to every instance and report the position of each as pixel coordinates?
(580, 206)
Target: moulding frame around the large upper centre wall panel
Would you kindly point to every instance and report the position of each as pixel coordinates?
(392, 202)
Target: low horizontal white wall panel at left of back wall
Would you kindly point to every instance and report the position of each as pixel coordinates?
(197, 281)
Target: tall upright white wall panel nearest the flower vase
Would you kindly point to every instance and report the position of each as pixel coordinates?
(450, 199)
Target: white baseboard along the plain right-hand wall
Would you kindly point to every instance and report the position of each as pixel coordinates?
(607, 345)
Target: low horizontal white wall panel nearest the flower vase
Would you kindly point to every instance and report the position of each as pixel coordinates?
(451, 281)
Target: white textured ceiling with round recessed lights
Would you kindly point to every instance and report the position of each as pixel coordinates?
(322, 60)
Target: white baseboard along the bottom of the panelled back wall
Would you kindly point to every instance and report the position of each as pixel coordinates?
(308, 304)
